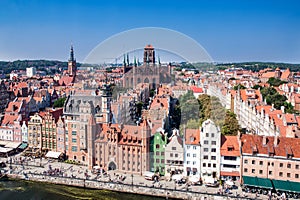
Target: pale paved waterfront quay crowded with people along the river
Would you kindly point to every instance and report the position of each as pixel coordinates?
(52, 171)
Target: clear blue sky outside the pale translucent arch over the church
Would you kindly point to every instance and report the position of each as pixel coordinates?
(241, 30)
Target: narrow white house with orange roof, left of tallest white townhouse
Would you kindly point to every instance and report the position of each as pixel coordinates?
(192, 154)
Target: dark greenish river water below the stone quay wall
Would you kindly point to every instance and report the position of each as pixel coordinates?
(27, 190)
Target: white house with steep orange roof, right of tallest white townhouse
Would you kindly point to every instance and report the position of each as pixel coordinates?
(230, 164)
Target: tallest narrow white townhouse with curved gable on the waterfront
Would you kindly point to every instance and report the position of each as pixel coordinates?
(210, 141)
